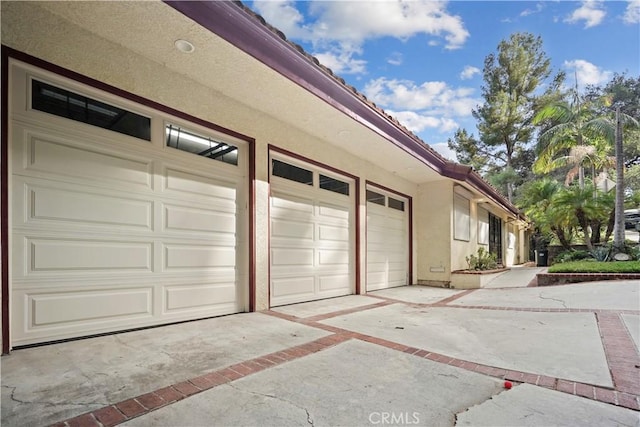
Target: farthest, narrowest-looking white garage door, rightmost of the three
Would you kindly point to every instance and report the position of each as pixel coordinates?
(387, 240)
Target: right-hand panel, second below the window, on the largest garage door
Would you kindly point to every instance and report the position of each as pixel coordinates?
(185, 218)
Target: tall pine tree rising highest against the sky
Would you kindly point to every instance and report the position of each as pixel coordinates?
(513, 78)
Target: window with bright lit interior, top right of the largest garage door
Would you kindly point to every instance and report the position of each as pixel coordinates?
(192, 142)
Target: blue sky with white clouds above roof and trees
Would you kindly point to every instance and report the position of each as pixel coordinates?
(422, 60)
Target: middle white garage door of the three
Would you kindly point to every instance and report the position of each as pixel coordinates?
(312, 240)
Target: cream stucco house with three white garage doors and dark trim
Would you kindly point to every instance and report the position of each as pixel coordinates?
(143, 185)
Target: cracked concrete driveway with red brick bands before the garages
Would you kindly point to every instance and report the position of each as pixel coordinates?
(403, 356)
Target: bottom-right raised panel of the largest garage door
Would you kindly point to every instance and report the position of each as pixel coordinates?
(187, 297)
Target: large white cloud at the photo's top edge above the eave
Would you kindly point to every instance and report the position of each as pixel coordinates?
(335, 27)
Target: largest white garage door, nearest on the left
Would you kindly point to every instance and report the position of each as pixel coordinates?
(117, 223)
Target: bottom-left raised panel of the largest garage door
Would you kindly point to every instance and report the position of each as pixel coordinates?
(48, 309)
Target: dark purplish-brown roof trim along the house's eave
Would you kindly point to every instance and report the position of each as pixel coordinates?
(249, 33)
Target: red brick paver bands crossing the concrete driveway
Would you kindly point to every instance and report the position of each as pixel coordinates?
(620, 351)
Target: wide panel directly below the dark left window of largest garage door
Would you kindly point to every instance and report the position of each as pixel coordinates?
(61, 158)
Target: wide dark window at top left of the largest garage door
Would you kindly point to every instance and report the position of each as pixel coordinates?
(63, 103)
